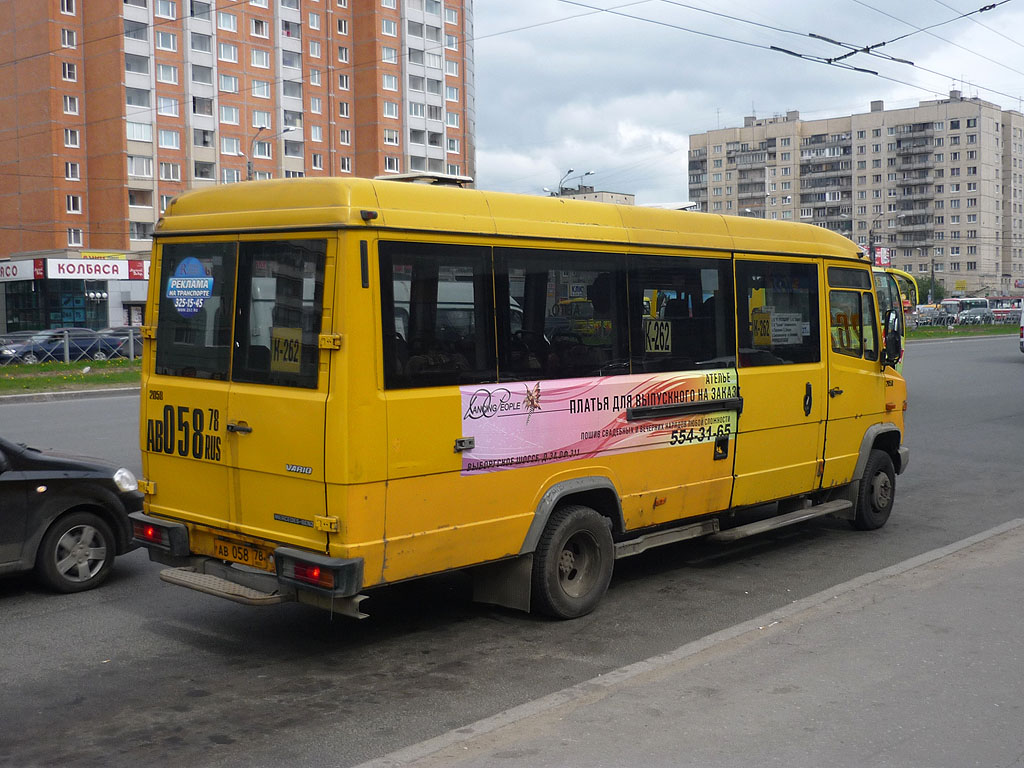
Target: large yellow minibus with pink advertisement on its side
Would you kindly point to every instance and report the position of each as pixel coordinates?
(349, 383)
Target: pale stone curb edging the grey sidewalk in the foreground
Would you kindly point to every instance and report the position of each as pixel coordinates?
(595, 687)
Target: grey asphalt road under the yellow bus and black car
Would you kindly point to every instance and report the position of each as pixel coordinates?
(144, 673)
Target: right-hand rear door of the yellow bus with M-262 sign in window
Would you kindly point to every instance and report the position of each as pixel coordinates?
(275, 424)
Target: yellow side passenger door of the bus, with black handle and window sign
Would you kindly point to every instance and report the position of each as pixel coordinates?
(783, 379)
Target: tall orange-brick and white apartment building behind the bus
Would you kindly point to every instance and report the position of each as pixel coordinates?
(111, 108)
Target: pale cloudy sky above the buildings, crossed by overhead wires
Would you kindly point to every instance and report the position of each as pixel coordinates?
(617, 87)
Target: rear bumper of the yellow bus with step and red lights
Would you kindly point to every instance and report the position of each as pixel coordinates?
(282, 585)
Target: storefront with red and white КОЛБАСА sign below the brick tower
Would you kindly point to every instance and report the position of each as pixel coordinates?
(94, 293)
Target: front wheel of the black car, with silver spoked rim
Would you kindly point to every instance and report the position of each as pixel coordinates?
(76, 553)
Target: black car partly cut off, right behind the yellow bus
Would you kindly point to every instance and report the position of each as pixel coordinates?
(65, 517)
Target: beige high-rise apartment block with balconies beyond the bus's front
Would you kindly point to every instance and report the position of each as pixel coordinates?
(941, 187)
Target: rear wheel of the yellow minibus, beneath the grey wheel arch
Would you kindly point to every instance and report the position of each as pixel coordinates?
(573, 564)
